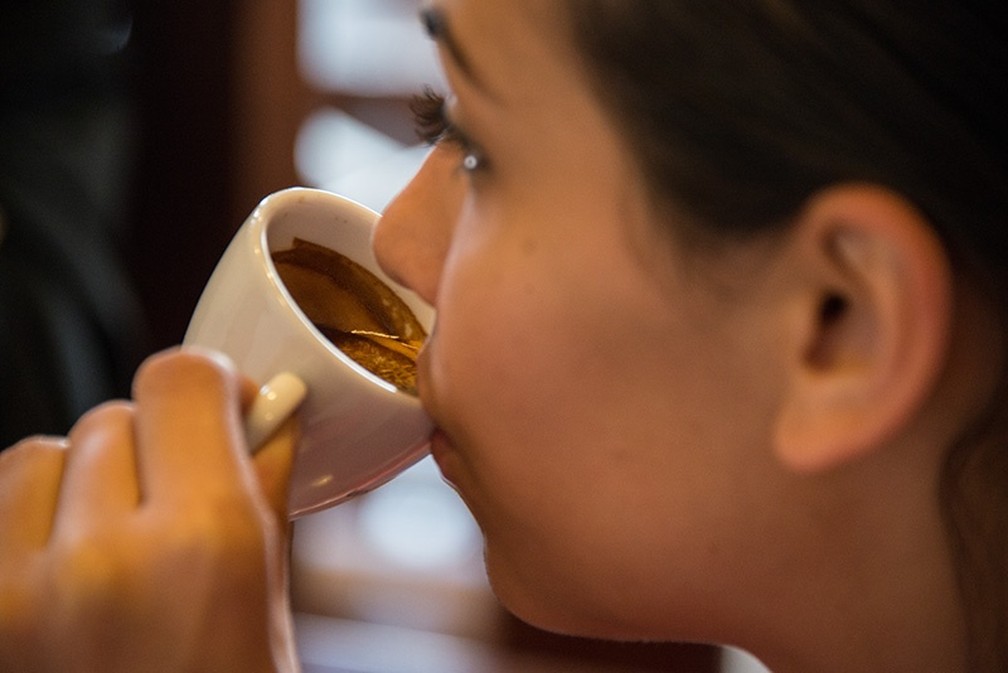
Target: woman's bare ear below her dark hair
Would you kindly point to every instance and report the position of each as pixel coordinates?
(872, 325)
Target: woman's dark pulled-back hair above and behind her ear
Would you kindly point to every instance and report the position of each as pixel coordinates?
(740, 110)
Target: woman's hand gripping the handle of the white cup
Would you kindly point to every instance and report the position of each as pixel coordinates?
(148, 541)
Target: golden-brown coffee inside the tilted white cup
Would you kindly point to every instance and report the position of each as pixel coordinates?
(354, 310)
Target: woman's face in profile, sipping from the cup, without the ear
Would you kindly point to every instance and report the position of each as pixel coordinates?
(596, 395)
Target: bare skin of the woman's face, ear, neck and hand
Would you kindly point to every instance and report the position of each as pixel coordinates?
(738, 445)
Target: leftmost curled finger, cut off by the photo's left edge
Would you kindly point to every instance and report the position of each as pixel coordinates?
(30, 490)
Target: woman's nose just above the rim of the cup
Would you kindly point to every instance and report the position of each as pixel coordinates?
(412, 238)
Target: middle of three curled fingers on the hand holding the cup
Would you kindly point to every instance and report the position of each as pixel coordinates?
(99, 484)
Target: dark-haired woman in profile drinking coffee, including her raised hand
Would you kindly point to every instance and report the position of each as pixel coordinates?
(719, 352)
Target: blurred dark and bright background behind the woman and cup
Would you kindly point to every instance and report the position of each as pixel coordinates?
(135, 140)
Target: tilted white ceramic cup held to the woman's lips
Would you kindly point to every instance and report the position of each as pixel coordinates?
(358, 432)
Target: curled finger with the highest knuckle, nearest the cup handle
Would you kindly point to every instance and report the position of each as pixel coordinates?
(188, 427)
